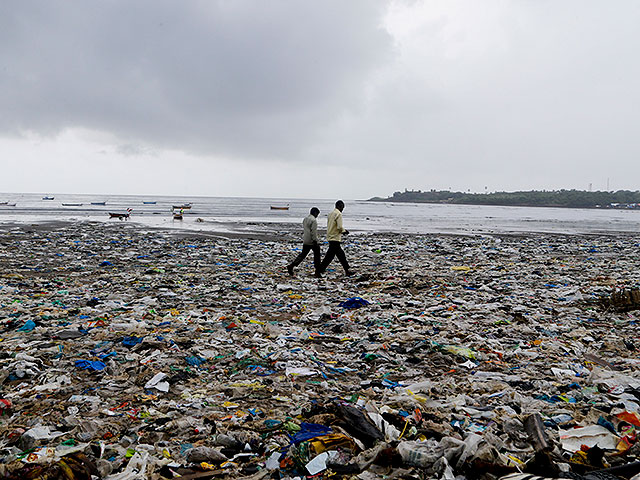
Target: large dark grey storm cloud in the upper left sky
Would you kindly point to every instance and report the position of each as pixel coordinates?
(234, 78)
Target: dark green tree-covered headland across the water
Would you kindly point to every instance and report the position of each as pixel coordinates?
(533, 198)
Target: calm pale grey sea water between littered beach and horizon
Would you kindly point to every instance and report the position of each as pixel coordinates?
(254, 214)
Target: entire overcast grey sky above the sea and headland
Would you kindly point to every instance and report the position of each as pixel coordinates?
(318, 99)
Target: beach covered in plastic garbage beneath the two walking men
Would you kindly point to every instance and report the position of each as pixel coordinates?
(137, 353)
